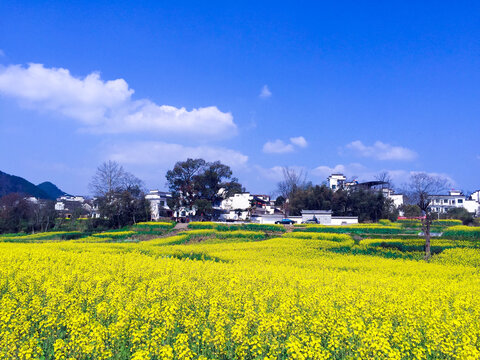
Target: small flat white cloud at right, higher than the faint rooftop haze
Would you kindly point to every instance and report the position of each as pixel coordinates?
(382, 151)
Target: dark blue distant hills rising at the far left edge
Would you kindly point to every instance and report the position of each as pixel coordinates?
(16, 184)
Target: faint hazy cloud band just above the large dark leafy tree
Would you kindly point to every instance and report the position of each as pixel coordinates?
(161, 153)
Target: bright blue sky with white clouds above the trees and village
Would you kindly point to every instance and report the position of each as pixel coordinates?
(344, 87)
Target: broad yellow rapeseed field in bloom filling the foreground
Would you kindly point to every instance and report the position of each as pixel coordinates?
(272, 299)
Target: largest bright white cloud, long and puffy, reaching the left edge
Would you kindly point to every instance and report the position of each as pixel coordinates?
(107, 106)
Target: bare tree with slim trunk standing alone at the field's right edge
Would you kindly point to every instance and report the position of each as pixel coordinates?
(420, 190)
